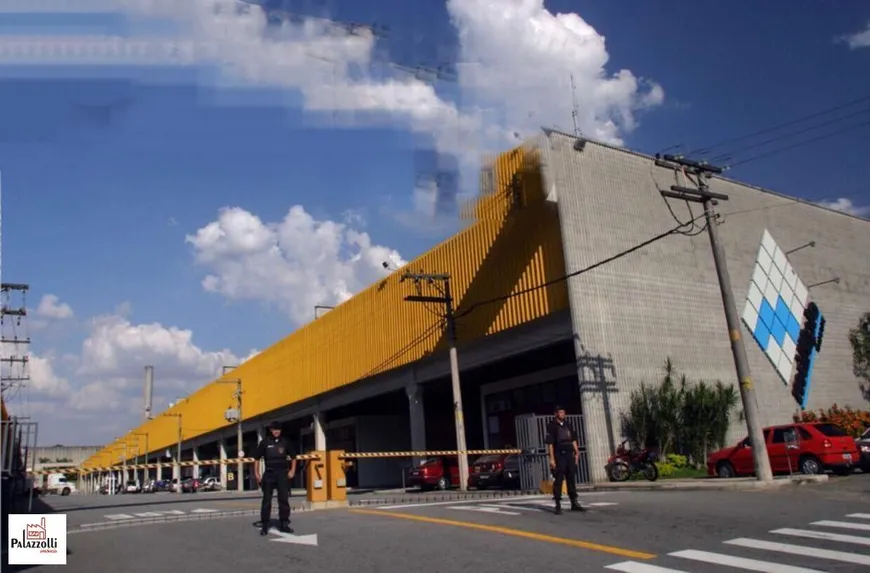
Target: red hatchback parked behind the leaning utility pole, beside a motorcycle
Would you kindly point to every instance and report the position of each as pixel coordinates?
(818, 447)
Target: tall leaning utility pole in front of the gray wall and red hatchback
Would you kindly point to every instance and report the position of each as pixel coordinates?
(709, 200)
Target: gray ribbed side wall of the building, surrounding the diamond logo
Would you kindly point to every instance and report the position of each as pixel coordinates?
(663, 301)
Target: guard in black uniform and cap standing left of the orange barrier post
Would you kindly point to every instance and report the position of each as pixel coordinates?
(280, 463)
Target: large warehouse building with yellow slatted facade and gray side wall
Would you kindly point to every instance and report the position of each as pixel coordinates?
(373, 374)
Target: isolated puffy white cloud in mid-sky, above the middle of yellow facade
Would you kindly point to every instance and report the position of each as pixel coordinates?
(296, 263)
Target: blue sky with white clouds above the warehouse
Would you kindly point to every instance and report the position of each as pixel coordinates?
(183, 182)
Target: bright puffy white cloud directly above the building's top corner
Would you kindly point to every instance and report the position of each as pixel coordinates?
(522, 55)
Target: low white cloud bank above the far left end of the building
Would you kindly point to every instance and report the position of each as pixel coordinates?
(107, 379)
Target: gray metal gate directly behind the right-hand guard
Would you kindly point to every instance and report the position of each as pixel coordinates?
(534, 462)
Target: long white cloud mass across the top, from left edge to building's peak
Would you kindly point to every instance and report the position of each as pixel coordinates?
(517, 59)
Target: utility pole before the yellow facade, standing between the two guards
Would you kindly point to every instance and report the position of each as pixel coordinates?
(446, 299)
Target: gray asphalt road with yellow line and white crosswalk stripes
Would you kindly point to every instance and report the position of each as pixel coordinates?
(822, 527)
